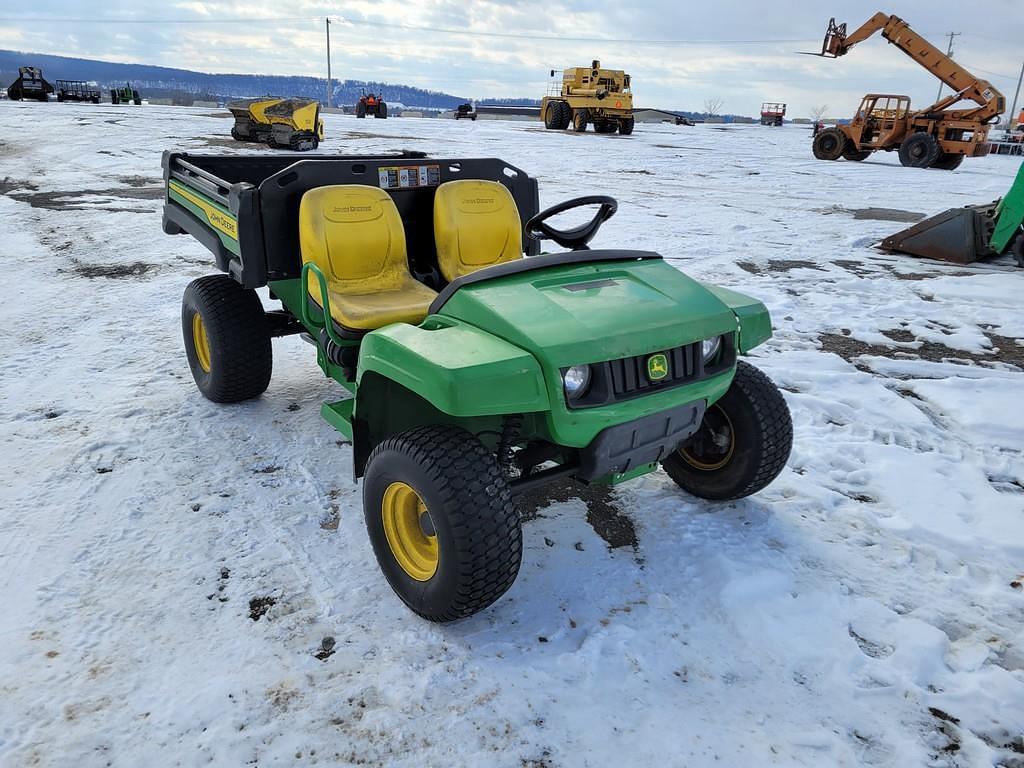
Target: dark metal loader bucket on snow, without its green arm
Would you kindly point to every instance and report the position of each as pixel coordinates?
(960, 235)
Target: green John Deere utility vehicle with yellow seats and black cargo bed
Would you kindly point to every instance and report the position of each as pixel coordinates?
(475, 369)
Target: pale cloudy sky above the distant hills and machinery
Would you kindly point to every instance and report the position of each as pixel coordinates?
(481, 49)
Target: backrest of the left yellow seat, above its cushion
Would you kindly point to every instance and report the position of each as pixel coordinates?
(355, 235)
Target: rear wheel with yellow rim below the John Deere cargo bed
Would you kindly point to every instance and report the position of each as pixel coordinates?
(229, 347)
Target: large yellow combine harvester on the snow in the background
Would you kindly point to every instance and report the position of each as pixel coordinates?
(590, 95)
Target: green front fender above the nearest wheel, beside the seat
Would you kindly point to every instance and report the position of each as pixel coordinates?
(461, 370)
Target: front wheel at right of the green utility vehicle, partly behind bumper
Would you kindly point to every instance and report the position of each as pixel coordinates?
(743, 445)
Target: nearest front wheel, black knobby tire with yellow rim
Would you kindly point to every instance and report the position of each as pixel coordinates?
(441, 518)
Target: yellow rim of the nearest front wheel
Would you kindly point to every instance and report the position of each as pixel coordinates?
(406, 518)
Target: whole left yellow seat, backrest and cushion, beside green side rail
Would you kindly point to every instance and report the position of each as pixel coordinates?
(355, 235)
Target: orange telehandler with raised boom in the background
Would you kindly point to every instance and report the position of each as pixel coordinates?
(937, 137)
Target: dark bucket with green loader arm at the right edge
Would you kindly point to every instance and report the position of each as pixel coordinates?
(969, 234)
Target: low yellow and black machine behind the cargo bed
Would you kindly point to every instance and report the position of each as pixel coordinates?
(286, 123)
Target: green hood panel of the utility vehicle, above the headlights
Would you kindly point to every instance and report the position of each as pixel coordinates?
(574, 314)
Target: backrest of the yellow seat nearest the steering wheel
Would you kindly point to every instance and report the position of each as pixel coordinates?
(477, 225)
